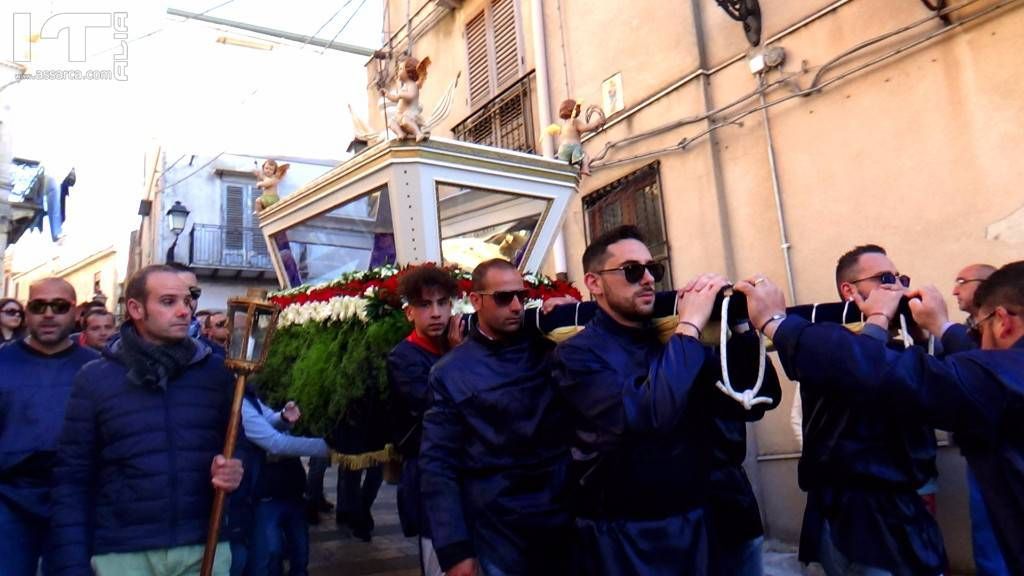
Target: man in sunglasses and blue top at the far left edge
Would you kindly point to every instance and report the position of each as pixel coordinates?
(34, 389)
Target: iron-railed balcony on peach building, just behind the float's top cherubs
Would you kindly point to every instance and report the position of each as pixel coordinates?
(505, 121)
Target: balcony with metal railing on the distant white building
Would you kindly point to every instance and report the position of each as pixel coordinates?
(222, 252)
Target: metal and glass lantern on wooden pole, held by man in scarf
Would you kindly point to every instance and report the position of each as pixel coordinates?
(251, 323)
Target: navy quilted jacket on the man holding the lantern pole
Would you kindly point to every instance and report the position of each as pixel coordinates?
(134, 464)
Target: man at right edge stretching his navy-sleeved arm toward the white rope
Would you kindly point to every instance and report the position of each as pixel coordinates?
(978, 395)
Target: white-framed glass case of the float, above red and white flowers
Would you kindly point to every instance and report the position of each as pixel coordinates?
(404, 202)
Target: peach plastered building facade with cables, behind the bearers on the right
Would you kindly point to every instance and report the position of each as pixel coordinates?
(852, 121)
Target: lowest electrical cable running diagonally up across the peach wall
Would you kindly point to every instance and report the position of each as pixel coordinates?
(813, 90)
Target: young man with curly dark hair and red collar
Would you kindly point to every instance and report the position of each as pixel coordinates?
(428, 293)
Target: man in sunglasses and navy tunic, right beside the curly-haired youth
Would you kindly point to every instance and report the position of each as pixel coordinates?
(493, 456)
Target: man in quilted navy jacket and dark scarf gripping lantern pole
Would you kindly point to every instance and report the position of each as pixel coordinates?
(140, 454)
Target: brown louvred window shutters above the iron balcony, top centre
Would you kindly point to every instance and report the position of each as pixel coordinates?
(494, 51)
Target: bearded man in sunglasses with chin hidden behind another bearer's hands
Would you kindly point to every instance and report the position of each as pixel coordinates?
(862, 469)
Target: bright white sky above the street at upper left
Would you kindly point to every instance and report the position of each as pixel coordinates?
(182, 90)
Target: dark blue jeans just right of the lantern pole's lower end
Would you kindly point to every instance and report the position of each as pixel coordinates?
(278, 523)
